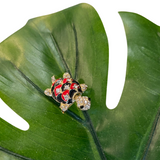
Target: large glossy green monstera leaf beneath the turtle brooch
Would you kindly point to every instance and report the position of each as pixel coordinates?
(74, 41)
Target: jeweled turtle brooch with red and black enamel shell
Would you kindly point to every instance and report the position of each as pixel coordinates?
(66, 91)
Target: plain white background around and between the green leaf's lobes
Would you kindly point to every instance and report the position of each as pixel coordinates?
(15, 14)
